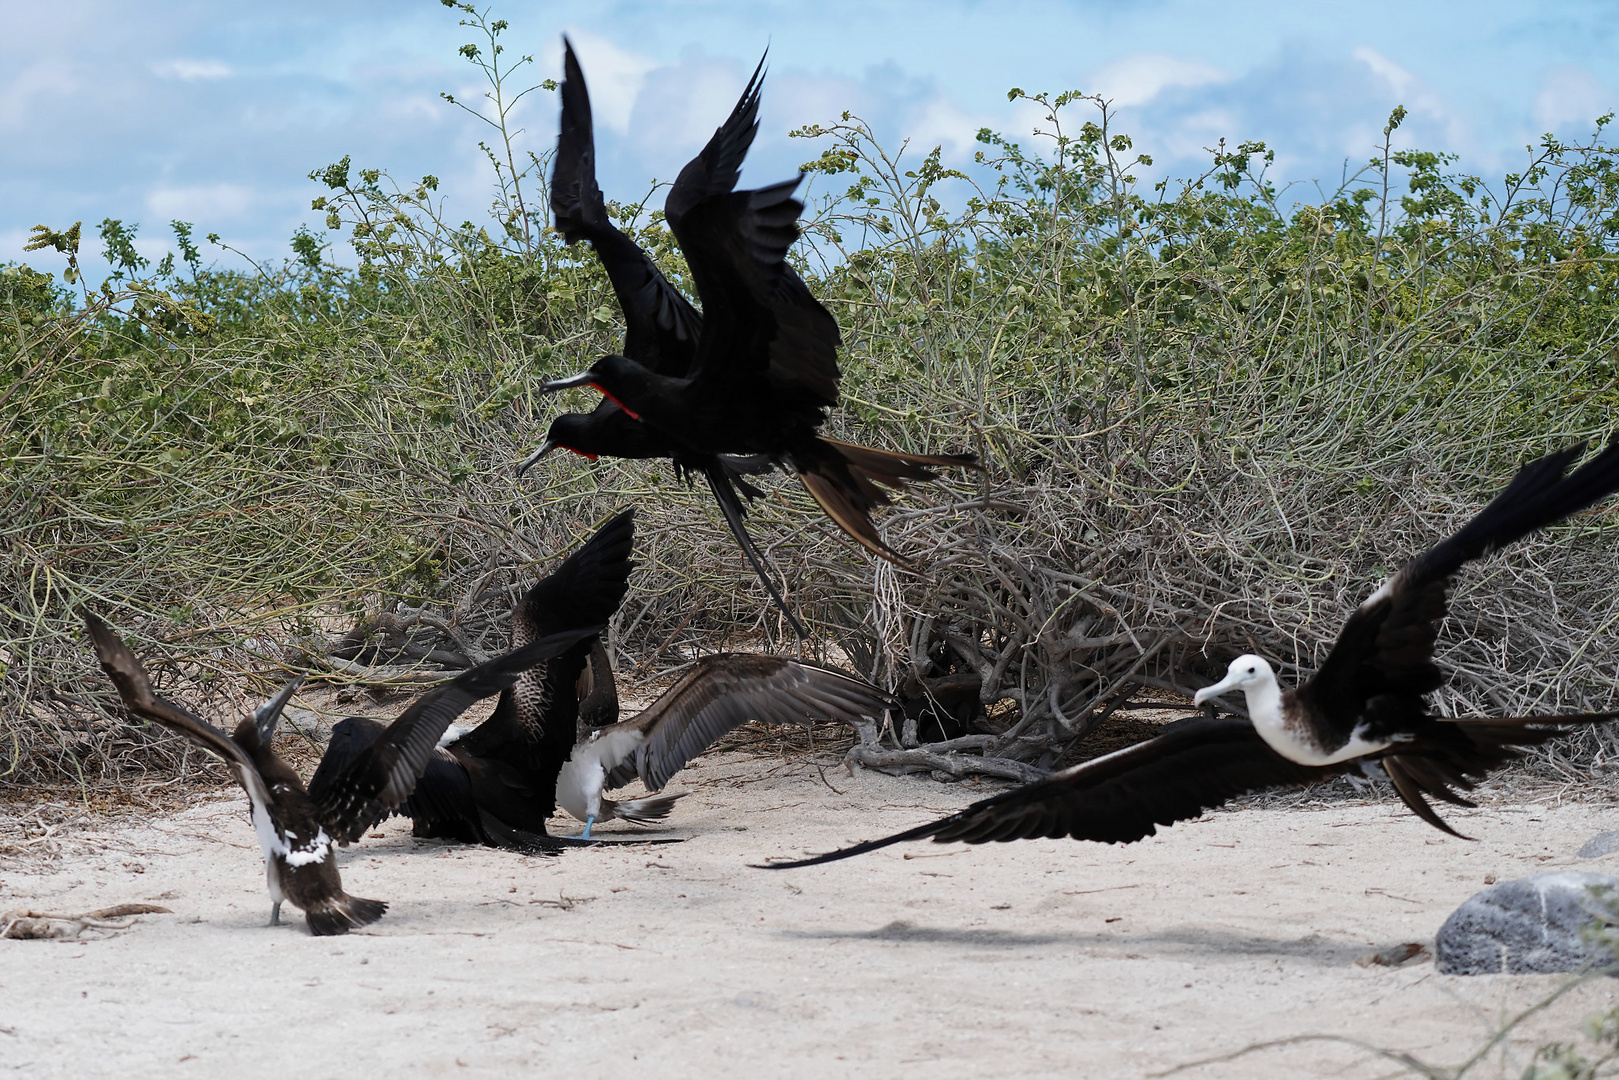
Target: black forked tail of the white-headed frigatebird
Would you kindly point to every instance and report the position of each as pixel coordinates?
(1466, 752)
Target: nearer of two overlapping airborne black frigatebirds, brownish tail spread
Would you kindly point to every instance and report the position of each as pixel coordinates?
(763, 370)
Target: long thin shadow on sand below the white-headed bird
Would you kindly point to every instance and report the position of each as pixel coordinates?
(1178, 942)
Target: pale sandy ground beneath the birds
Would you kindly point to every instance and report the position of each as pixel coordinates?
(1032, 959)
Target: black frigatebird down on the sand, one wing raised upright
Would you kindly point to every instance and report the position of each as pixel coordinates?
(498, 784)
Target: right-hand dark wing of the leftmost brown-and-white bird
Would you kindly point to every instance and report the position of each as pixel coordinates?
(386, 772)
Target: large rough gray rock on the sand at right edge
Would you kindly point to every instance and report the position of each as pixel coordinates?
(1532, 925)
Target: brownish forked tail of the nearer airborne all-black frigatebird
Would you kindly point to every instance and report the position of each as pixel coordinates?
(849, 483)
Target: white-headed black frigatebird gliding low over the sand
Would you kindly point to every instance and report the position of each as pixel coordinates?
(1364, 707)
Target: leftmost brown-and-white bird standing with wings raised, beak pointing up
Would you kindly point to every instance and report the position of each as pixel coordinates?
(297, 830)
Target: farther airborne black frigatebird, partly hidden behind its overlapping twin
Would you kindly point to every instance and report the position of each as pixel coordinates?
(661, 326)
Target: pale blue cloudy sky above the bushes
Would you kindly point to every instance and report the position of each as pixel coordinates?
(216, 113)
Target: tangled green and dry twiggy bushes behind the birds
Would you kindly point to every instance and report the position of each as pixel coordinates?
(1212, 415)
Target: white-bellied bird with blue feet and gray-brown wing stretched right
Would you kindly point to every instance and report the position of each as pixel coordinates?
(715, 697)
